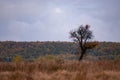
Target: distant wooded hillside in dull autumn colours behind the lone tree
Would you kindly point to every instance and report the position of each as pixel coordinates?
(30, 50)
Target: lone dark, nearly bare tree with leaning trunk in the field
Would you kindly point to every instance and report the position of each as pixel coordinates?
(83, 36)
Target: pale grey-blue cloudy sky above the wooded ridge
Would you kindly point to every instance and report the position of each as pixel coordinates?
(51, 20)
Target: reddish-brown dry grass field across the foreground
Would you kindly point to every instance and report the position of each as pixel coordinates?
(60, 70)
